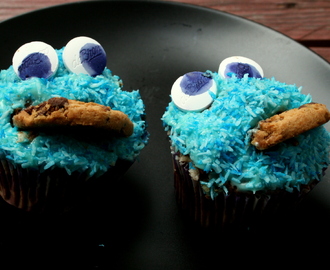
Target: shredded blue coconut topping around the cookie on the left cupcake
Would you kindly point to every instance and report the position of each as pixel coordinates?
(48, 151)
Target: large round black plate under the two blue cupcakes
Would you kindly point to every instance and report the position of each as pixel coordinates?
(135, 224)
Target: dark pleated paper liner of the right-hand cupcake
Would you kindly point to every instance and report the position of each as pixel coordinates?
(233, 209)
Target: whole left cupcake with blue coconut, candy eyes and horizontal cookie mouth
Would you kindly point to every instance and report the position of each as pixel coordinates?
(65, 122)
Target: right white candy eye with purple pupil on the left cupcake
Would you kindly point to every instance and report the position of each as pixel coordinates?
(84, 55)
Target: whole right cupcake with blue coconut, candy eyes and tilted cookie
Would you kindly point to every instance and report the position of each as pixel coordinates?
(244, 147)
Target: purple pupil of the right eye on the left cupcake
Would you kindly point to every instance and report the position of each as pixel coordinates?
(93, 58)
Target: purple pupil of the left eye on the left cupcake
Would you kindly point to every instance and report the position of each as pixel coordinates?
(35, 65)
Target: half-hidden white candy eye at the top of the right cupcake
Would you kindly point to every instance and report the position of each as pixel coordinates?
(239, 66)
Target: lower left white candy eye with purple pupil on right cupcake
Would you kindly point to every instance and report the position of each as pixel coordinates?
(191, 92)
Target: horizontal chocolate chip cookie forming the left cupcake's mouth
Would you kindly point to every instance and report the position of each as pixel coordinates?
(59, 112)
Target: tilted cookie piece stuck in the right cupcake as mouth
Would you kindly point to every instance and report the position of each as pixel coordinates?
(289, 124)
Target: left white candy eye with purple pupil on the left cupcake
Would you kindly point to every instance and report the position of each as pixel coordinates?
(35, 59)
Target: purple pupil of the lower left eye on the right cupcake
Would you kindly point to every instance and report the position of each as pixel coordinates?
(195, 83)
